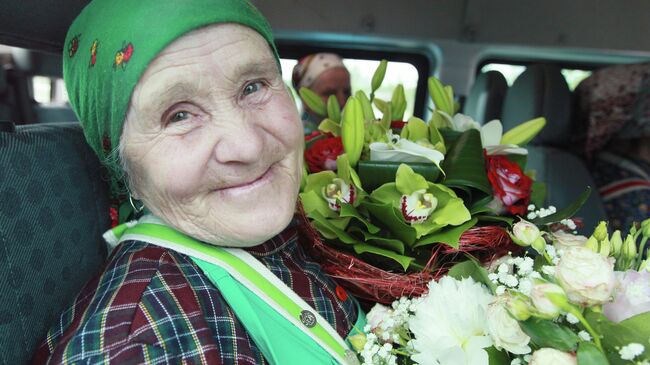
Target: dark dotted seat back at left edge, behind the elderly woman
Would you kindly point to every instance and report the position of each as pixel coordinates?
(53, 211)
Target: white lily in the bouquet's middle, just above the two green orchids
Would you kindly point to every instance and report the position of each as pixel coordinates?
(403, 150)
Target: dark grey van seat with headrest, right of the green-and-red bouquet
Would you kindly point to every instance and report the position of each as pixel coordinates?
(541, 91)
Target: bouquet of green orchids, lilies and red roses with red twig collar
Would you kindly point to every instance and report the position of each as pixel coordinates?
(396, 203)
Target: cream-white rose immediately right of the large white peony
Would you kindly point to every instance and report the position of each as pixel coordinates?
(505, 330)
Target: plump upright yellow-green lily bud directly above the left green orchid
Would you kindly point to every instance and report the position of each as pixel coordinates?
(352, 130)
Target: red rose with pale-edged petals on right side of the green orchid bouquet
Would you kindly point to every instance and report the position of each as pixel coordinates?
(509, 184)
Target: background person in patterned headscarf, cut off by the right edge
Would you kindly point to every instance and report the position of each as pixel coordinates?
(615, 115)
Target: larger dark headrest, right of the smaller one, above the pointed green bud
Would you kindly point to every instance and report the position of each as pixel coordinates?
(540, 91)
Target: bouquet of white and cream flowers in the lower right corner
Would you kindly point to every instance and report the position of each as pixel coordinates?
(573, 300)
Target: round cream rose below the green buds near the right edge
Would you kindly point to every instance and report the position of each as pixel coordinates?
(587, 277)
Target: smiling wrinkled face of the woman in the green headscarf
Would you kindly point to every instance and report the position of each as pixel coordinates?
(212, 139)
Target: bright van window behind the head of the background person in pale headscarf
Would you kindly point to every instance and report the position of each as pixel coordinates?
(361, 72)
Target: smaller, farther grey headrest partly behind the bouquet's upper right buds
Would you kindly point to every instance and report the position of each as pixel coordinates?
(485, 99)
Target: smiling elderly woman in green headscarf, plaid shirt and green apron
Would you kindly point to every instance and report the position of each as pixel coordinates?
(185, 103)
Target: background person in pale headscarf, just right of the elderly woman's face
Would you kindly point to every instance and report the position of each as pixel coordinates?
(325, 74)
